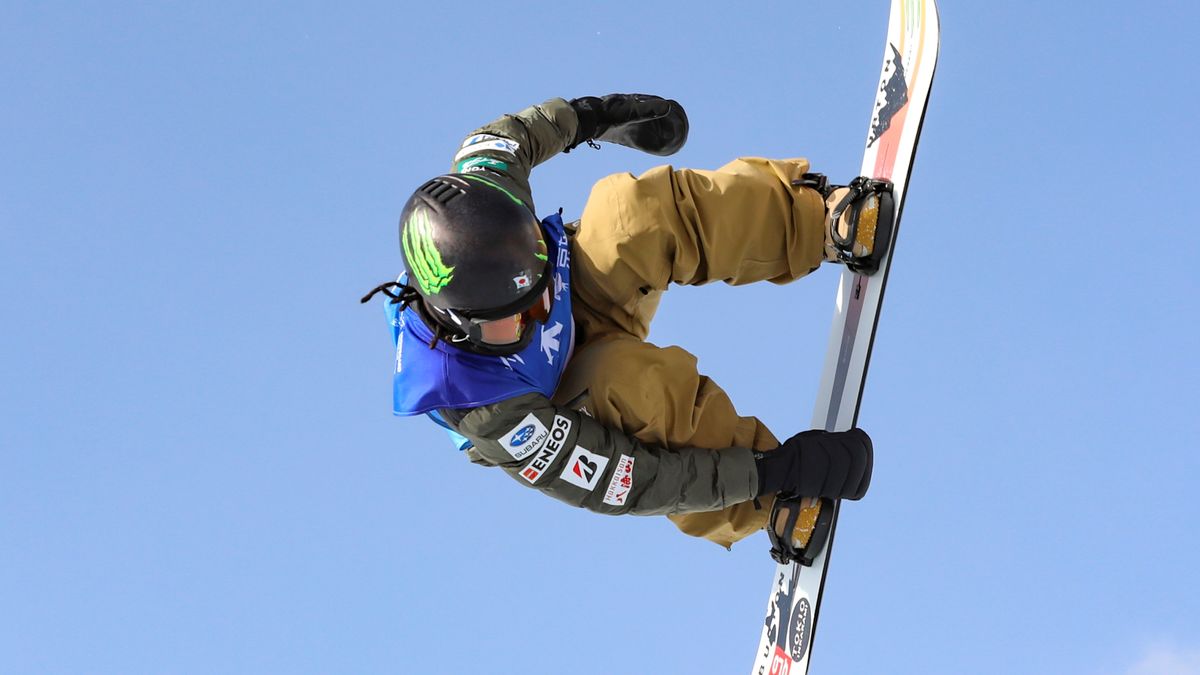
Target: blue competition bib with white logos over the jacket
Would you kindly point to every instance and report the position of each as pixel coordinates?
(448, 378)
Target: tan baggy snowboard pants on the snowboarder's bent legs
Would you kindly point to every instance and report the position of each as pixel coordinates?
(741, 224)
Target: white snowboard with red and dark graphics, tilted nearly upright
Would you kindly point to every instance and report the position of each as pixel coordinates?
(909, 61)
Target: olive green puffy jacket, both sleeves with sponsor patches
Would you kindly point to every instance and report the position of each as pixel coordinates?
(574, 458)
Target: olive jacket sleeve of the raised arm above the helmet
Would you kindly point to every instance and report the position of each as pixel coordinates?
(507, 151)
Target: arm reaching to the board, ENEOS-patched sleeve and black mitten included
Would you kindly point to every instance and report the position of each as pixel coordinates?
(578, 461)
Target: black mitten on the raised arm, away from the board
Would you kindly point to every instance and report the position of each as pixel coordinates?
(641, 122)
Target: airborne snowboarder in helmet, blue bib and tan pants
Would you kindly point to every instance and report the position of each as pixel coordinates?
(526, 339)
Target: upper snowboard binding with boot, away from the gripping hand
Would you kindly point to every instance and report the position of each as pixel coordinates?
(859, 220)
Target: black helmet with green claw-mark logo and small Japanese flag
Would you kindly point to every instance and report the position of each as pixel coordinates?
(475, 253)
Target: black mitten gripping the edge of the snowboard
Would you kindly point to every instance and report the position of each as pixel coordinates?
(819, 464)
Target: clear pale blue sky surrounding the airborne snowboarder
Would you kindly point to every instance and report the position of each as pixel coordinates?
(199, 467)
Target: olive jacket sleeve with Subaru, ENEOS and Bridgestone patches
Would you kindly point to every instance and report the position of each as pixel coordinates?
(575, 459)
